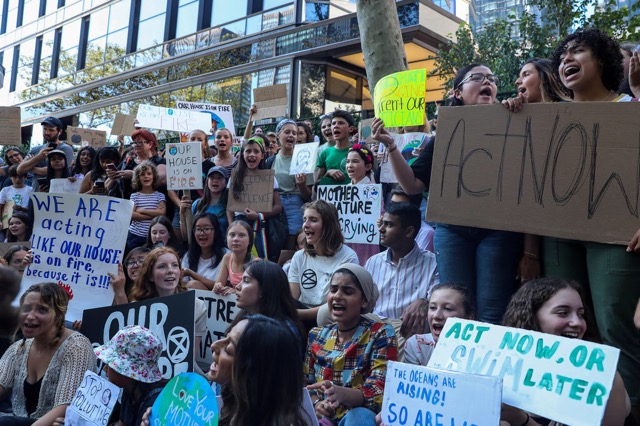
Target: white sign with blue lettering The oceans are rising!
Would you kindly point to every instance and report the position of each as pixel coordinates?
(416, 395)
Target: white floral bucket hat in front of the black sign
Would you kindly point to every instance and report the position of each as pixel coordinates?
(133, 352)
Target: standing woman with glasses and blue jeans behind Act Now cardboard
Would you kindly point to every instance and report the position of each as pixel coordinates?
(483, 260)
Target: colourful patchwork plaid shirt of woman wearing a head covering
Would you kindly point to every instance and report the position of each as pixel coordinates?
(360, 363)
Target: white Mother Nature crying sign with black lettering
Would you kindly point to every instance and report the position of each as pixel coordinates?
(359, 207)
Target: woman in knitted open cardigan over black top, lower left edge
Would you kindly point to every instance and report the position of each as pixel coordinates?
(42, 371)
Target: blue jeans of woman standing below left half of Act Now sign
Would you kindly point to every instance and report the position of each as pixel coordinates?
(484, 260)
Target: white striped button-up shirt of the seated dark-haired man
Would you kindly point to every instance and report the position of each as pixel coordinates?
(402, 284)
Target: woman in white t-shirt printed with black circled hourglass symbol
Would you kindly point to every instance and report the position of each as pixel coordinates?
(324, 249)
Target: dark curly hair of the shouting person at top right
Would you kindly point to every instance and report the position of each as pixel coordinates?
(605, 50)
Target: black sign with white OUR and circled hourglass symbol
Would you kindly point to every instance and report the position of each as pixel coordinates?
(171, 318)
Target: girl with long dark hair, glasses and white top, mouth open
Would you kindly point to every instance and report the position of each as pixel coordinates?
(201, 264)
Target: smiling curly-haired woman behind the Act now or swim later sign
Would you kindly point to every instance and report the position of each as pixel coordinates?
(555, 306)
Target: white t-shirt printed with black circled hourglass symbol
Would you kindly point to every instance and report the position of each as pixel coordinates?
(313, 273)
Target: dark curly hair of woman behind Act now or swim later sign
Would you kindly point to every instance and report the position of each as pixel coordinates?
(525, 303)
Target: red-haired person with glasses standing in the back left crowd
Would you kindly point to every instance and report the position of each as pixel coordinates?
(145, 148)
